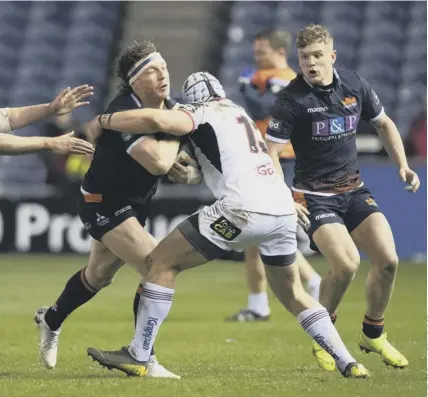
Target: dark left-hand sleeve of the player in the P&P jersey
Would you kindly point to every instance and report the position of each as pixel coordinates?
(283, 119)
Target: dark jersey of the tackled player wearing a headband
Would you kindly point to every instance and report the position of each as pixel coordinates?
(113, 172)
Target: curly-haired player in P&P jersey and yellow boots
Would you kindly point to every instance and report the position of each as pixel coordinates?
(319, 112)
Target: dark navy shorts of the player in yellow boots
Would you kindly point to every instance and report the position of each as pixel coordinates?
(349, 209)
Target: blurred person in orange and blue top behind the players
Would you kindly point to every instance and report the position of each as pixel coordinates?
(259, 88)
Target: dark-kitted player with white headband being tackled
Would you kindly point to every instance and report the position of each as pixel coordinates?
(116, 194)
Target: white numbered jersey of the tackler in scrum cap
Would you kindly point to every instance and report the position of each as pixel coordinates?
(234, 160)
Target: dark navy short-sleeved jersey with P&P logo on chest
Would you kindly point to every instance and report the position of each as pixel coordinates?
(322, 128)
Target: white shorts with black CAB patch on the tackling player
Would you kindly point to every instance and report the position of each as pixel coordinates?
(217, 228)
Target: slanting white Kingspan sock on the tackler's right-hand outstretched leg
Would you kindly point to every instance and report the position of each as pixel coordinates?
(317, 323)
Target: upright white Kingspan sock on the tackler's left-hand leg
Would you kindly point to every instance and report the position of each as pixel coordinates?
(155, 303)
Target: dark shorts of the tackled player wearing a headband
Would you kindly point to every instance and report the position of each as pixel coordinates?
(100, 217)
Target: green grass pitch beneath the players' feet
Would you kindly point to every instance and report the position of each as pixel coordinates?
(214, 358)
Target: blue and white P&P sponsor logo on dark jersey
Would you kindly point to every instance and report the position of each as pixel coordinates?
(335, 128)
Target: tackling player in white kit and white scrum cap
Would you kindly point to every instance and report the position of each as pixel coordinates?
(238, 169)
